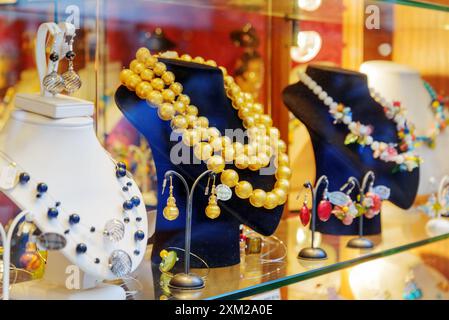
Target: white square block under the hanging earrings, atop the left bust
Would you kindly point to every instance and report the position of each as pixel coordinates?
(57, 107)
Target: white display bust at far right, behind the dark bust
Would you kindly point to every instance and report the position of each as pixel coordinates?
(396, 82)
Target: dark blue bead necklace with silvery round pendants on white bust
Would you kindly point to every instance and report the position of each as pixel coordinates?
(119, 261)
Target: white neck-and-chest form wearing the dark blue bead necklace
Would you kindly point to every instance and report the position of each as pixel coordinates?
(66, 155)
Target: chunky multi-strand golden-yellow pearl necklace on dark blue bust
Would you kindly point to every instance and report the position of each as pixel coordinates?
(150, 80)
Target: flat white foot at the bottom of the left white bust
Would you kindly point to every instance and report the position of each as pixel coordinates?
(44, 290)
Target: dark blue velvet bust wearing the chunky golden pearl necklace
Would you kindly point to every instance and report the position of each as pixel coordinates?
(216, 241)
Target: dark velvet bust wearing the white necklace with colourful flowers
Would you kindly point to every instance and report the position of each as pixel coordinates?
(339, 161)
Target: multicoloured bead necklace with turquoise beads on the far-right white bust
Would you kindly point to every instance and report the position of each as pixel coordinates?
(440, 119)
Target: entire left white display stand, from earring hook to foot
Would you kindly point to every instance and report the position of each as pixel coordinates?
(64, 152)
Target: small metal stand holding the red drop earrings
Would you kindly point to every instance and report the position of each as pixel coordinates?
(314, 253)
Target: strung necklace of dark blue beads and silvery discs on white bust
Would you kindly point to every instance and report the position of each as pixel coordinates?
(69, 222)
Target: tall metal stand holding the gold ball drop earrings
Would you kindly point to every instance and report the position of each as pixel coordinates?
(186, 280)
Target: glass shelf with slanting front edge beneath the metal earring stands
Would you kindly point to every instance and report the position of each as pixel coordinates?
(401, 231)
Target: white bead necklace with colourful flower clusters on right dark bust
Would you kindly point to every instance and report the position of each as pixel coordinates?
(404, 158)
